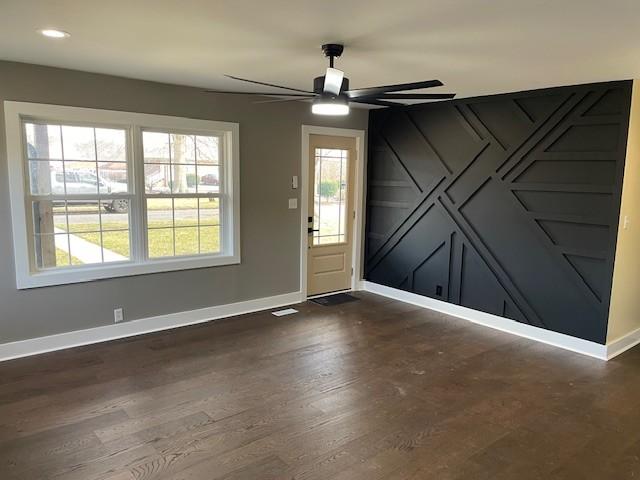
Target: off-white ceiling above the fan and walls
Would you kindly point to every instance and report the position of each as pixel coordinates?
(474, 47)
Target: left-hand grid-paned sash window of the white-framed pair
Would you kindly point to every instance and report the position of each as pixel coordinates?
(79, 194)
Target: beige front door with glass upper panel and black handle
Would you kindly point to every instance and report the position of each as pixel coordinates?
(331, 213)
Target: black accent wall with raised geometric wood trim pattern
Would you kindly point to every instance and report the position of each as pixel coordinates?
(507, 204)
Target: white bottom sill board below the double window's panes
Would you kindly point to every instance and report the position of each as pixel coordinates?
(122, 269)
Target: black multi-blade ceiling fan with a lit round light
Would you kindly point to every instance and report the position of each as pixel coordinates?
(331, 94)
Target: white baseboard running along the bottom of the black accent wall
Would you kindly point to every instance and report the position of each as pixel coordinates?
(560, 340)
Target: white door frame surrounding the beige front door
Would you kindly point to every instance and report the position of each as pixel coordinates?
(358, 197)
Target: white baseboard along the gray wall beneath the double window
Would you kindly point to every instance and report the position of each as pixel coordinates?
(34, 346)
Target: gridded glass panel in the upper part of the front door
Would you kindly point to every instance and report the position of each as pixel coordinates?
(330, 184)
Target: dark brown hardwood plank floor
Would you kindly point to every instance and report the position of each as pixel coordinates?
(374, 389)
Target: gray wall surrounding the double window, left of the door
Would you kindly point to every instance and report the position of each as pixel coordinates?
(270, 143)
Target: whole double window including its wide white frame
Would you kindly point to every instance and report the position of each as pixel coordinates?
(99, 194)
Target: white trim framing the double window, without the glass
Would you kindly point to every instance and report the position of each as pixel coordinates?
(26, 277)
